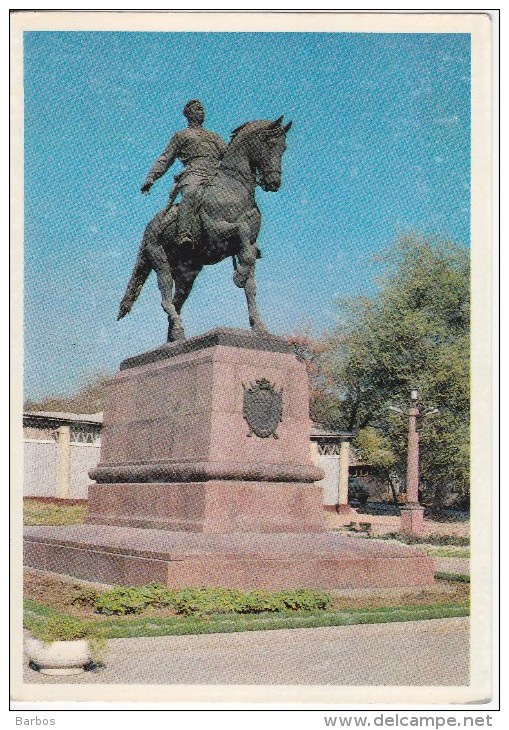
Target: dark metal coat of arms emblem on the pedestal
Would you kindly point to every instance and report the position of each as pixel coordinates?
(263, 408)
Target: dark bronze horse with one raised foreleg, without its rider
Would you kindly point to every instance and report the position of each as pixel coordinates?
(226, 223)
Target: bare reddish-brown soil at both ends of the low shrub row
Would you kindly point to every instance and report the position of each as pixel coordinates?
(57, 592)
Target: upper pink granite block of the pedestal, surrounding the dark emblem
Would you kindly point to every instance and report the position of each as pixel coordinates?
(203, 396)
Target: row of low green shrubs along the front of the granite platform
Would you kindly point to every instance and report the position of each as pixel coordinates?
(199, 601)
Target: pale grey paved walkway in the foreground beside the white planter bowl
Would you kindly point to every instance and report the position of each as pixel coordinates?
(412, 653)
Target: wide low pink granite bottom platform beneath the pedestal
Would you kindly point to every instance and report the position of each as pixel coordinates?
(136, 556)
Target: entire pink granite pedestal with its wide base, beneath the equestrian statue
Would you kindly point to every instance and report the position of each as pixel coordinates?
(205, 478)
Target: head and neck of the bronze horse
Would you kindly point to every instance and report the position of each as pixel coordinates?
(264, 143)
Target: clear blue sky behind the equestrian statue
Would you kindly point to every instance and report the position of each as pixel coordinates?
(380, 145)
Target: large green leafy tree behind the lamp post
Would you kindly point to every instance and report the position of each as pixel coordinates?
(414, 332)
